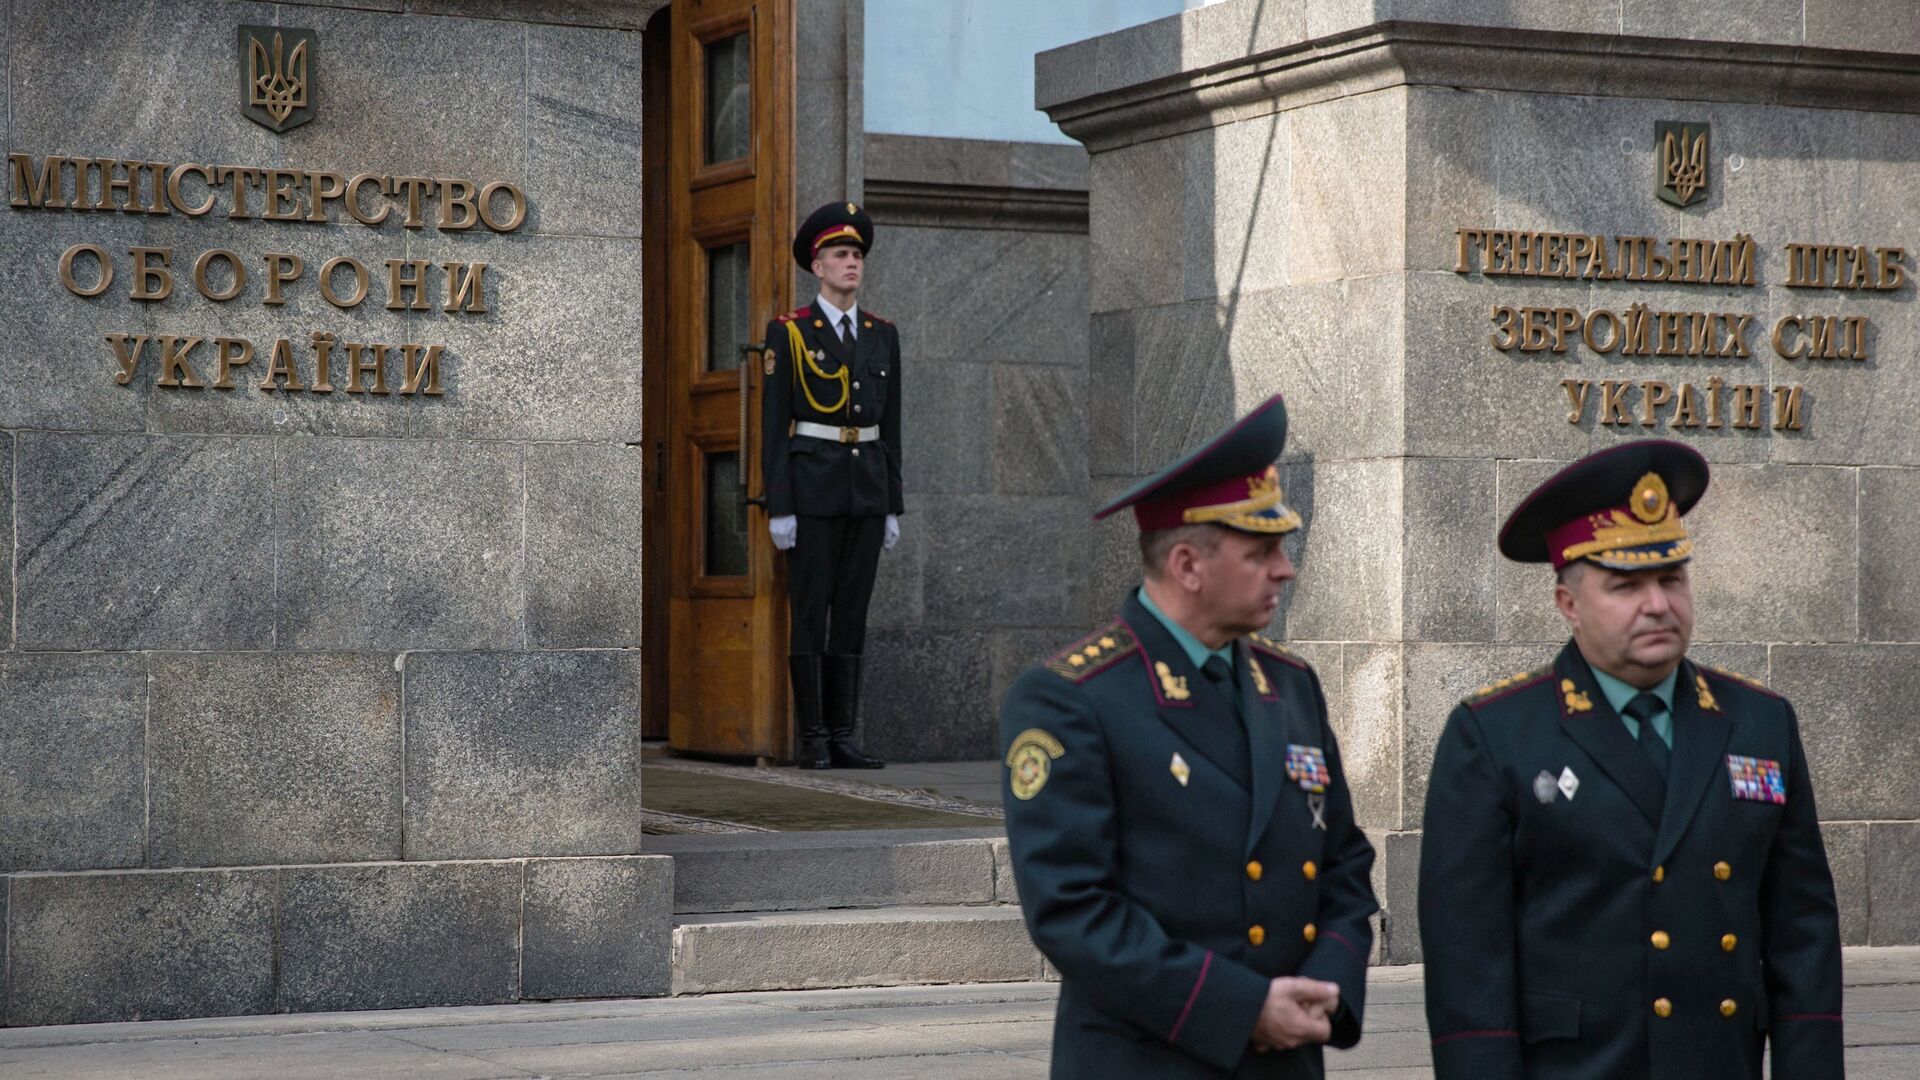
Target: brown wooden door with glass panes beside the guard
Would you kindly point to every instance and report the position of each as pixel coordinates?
(729, 197)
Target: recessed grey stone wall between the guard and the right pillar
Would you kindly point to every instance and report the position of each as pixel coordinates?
(982, 262)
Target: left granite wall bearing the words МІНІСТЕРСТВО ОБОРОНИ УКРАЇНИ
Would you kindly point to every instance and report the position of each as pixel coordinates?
(325, 700)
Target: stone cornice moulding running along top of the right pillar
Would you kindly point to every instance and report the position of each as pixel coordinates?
(1491, 59)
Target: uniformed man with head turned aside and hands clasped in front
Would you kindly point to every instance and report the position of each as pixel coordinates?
(1178, 816)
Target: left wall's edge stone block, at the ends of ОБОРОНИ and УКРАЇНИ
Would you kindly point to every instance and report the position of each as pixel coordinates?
(554, 355)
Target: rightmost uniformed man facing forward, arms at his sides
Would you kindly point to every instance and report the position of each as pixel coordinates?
(1623, 875)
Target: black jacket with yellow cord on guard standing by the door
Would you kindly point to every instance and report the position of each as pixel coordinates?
(825, 478)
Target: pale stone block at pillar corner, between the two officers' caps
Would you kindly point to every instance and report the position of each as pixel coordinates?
(1449, 549)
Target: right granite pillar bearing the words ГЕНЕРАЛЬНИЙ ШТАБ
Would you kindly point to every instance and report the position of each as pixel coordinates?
(1276, 191)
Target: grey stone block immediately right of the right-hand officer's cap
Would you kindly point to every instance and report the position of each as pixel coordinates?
(1796, 593)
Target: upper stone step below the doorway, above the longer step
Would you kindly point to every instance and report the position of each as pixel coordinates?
(807, 871)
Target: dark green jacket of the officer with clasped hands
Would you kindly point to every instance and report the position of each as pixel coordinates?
(1168, 864)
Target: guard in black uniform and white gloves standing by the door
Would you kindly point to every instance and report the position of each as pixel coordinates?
(830, 454)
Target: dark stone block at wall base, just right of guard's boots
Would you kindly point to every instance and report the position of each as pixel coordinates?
(924, 697)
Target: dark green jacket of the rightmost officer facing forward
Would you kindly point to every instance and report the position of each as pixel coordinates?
(1577, 925)
